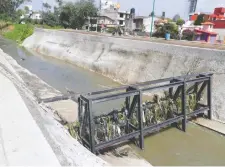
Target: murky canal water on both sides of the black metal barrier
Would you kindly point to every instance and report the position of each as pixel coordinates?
(198, 146)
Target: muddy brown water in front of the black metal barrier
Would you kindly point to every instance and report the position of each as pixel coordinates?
(198, 146)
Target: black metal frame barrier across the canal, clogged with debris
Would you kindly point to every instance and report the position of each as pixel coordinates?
(181, 101)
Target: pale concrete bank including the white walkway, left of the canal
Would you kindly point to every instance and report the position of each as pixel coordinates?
(21, 140)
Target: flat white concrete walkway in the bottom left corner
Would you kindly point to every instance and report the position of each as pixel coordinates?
(21, 141)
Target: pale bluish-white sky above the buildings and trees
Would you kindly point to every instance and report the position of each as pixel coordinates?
(144, 7)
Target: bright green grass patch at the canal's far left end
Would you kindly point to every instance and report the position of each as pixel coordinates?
(19, 32)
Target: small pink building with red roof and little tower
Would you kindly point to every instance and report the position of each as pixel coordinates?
(206, 33)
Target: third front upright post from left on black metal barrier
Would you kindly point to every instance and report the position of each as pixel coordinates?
(184, 121)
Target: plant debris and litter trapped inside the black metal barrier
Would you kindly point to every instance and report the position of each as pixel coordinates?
(117, 122)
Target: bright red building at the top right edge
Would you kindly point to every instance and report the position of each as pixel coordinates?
(217, 18)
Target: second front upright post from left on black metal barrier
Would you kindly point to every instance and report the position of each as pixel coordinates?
(140, 120)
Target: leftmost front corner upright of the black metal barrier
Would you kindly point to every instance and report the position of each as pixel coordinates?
(91, 127)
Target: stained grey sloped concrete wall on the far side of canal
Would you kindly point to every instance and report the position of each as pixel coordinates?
(129, 61)
